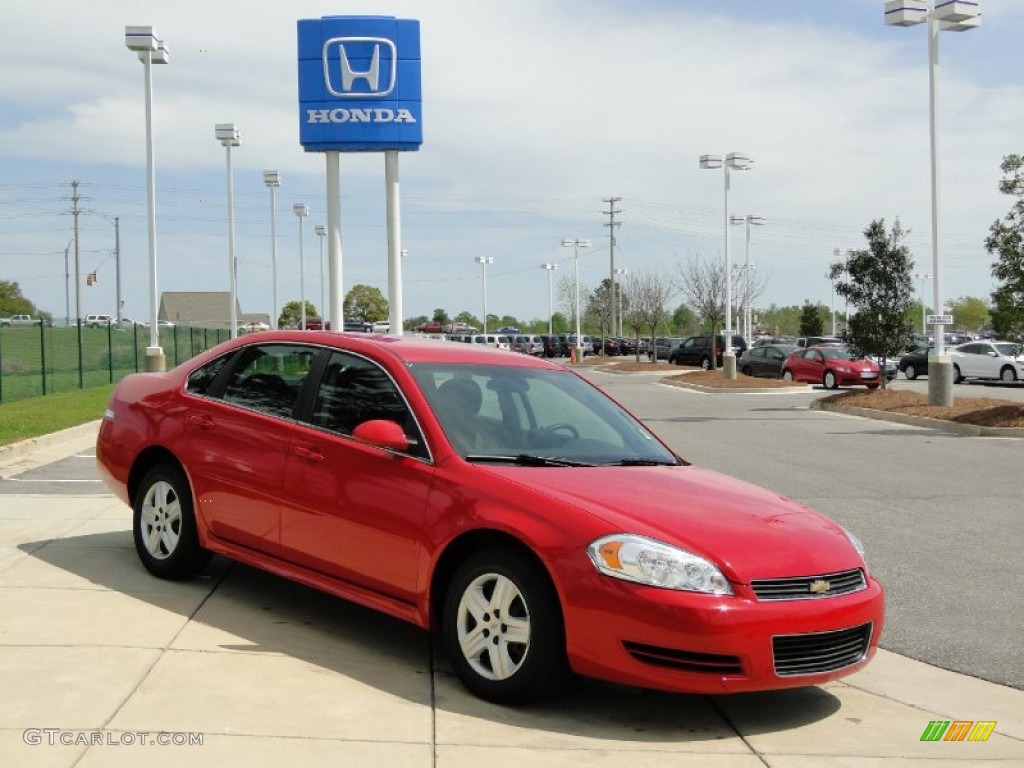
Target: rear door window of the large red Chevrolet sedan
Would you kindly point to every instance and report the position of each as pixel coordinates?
(268, 378)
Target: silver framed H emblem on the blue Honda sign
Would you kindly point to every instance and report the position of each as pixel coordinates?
(346, 81)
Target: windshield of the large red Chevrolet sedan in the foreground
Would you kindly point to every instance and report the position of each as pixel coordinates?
(527, 415)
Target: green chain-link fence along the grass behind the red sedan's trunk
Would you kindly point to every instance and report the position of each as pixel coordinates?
(36, 361)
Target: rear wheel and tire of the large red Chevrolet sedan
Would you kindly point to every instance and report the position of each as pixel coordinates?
(164, 526)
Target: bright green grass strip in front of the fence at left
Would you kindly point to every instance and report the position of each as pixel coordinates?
(33, 417)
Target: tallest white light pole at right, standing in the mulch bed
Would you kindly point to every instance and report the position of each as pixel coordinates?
(953, 17)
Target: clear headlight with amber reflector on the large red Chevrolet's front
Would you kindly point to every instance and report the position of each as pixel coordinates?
(636, 559)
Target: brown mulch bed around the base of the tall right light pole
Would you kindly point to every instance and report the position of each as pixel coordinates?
(984, 412)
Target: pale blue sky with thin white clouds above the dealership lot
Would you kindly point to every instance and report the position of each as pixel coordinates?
(534, 114)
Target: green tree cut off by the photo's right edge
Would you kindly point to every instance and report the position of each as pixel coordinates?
(1006, 240)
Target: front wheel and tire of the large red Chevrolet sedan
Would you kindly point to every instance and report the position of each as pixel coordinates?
(531, 667)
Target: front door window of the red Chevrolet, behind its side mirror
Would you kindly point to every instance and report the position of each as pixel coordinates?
(354, 391)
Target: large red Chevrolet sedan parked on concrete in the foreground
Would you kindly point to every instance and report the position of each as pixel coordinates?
(499, 500)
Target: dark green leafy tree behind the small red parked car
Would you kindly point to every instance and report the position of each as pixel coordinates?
(877, 282)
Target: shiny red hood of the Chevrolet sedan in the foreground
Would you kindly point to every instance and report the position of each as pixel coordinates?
(749, 532)
